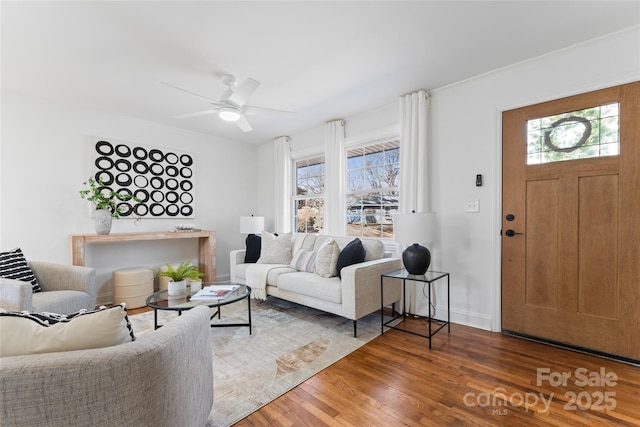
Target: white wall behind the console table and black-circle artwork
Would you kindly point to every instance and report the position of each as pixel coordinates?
(45, 159)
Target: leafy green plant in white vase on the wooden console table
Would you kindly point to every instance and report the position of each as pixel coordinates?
(105, 203)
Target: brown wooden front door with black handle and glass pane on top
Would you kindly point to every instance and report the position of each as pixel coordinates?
(571, 221)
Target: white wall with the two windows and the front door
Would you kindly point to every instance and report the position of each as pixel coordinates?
(465, 139)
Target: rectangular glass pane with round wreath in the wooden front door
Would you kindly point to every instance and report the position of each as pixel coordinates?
(592, 132)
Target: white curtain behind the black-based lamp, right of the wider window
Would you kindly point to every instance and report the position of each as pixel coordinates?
(414, 173)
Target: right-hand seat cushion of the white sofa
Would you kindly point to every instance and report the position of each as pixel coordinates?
(309, 284)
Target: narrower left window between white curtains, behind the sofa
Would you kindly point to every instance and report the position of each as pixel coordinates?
(309, 198)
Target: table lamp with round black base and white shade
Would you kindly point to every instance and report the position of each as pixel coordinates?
(418, 228)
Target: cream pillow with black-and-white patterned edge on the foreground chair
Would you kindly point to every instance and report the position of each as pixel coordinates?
(23, 333)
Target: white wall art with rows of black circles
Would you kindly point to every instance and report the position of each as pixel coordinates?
(162, 179)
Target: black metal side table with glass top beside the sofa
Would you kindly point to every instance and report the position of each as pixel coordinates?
(430, 277)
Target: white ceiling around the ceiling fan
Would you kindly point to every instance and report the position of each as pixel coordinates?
(323, 60)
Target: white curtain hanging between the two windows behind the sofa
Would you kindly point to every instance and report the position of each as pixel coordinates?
(334, 163)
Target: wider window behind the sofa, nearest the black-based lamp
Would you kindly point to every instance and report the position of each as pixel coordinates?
(373, 173)
